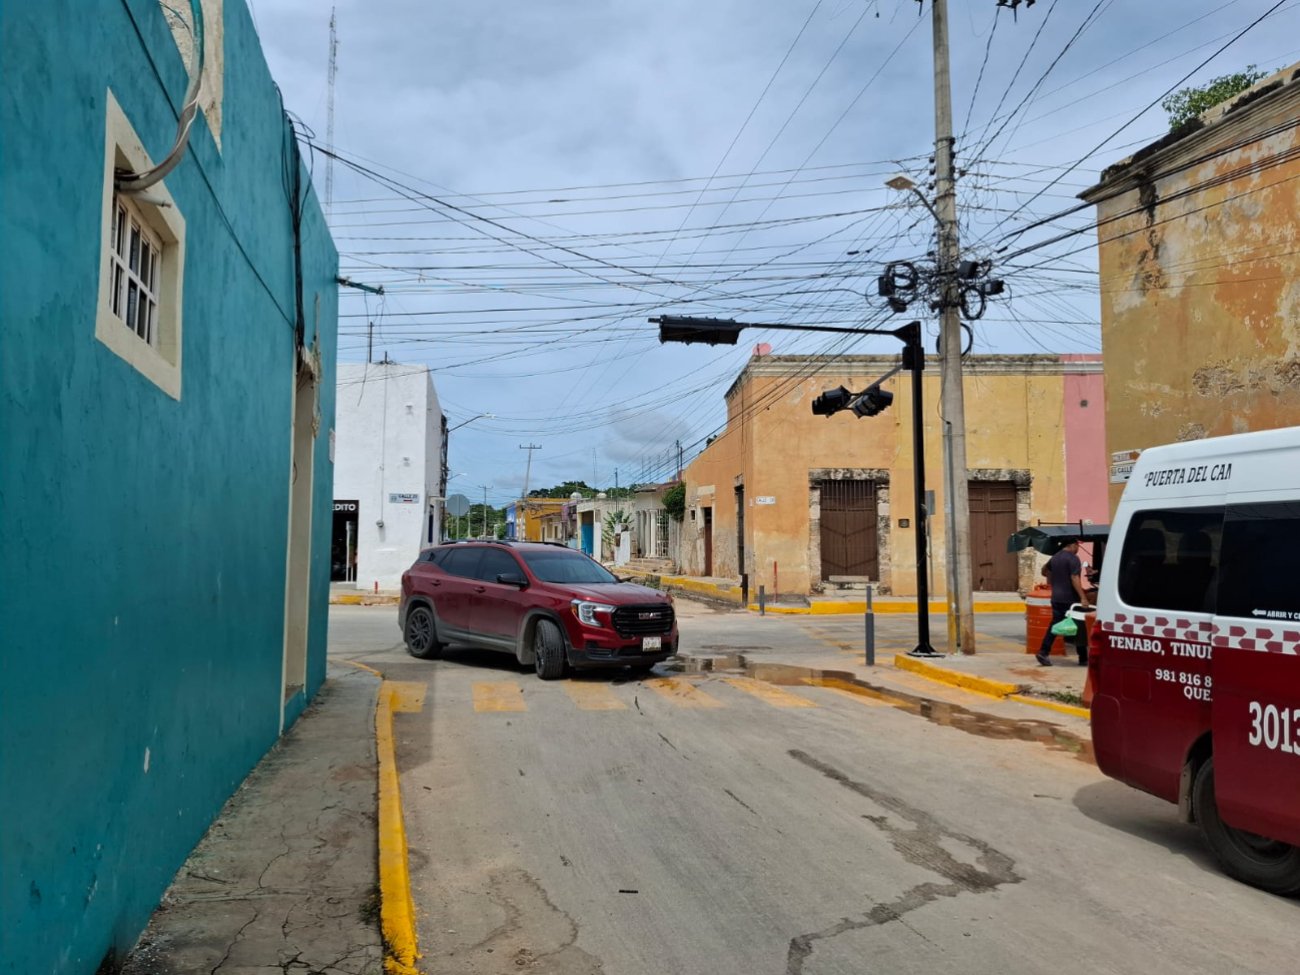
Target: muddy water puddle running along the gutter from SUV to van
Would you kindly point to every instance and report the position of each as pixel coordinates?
(942, 713)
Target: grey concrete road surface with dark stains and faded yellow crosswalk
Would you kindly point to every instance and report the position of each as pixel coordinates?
(716, 825)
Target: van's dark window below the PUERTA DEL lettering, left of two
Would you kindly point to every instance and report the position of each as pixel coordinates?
(1171, 560)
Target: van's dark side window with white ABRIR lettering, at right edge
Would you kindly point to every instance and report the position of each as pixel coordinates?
(1260, 551)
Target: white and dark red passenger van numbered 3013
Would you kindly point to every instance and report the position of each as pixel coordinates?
(1195, 660)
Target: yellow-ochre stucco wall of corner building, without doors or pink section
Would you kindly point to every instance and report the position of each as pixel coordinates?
(778, 449)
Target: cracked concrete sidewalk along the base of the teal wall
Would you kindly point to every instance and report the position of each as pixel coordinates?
(287, 878)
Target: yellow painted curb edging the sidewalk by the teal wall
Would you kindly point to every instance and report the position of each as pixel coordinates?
(397, 909)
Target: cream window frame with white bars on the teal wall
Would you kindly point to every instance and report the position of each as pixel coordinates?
(155, 350)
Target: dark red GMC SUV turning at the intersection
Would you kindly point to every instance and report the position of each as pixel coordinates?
(545, 604)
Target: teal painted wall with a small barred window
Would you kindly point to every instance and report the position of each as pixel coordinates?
(142, 575)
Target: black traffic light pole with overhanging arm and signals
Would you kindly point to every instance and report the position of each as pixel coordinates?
(869, 402)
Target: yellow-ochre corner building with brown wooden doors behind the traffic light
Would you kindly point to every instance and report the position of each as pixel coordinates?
(807, 504)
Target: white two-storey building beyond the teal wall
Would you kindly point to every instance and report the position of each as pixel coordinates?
(389, 461)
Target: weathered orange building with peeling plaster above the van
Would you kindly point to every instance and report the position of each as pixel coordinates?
(1199, 246)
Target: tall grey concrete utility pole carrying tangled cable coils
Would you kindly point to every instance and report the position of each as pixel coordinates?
(961, 617)
